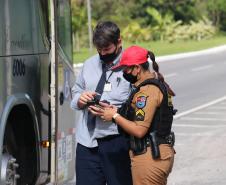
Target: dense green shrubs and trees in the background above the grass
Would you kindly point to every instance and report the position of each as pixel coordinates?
(145, 20)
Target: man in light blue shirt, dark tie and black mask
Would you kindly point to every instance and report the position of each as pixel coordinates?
(102, 155)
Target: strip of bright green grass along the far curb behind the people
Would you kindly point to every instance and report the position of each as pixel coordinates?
(162, 48)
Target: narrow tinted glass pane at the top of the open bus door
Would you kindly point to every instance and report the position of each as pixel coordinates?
(64, 27)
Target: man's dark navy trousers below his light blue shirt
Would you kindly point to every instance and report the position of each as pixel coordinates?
(109, 163)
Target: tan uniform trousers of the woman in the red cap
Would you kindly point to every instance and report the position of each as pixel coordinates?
(149, 171)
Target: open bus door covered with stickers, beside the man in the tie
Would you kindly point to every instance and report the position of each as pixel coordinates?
(65, 117)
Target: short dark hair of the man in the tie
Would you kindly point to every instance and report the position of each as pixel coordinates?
(105, 33)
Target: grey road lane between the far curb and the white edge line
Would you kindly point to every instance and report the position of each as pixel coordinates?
(196, 80)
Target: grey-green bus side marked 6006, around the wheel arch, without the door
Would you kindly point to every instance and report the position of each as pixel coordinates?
(24, 64)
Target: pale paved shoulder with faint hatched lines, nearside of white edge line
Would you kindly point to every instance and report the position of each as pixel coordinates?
(200, 147)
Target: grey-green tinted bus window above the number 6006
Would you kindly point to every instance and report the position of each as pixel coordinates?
(21, 28)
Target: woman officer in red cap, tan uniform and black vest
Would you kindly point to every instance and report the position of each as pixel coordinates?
(147, 117)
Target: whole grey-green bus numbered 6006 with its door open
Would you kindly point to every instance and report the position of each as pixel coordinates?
(37, 131)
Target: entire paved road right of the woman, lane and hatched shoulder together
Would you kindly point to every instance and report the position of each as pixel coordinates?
(201, 134)
